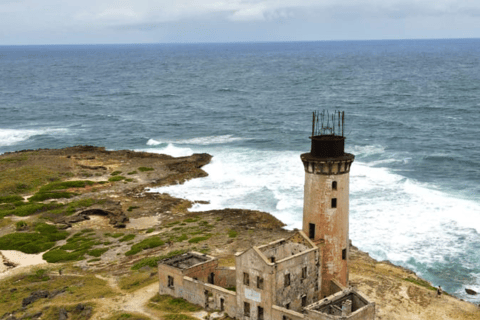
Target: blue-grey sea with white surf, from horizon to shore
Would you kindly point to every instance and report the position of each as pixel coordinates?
(412, 120)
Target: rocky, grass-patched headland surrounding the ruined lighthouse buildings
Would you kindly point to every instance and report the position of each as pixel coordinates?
(80, 237)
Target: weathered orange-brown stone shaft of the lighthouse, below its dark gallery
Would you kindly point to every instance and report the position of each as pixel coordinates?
(331, 224)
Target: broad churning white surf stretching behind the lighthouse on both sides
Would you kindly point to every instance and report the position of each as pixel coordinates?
(391, 217)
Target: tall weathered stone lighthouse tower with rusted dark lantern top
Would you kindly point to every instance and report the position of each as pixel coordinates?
(326, 197)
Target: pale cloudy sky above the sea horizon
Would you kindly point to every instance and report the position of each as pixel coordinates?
(153, 21)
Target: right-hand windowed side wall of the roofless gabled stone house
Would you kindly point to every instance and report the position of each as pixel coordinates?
(292, 294)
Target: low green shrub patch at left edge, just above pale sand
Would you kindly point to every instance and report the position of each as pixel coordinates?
(33, 242)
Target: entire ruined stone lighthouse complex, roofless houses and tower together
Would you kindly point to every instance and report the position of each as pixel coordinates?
(302, 277)
